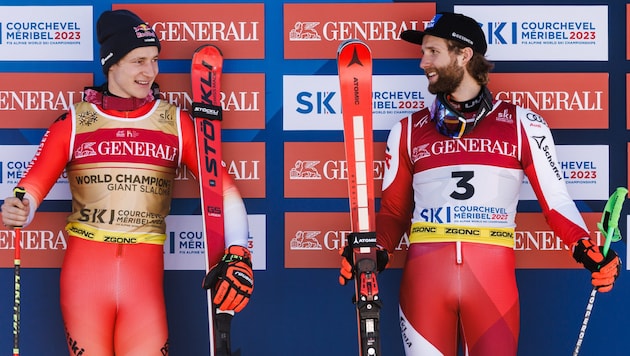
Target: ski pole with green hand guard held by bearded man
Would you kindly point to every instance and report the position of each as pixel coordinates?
(609, 227)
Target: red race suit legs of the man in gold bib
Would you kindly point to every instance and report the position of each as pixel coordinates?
(112, 299)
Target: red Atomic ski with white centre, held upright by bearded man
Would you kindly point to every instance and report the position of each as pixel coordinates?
(354, 61)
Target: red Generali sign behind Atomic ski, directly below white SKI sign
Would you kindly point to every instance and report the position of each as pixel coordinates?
(320, 169)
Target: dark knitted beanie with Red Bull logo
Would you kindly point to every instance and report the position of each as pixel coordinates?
(119, 32)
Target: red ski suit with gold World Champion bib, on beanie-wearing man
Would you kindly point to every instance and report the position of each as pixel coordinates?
(121, 167)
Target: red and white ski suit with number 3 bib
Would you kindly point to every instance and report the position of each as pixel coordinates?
(457, 200)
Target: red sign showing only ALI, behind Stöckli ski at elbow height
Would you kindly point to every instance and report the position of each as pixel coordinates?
(245, 162)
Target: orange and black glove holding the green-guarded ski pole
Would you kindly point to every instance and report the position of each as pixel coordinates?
(604, 271)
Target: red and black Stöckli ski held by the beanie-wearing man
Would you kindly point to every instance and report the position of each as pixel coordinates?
(207, 65)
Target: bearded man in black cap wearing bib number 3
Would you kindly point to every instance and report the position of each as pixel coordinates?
(451, 183)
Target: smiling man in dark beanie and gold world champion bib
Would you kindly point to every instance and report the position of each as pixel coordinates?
(121, 149)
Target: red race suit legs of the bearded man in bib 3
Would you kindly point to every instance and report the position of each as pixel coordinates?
(445, 288)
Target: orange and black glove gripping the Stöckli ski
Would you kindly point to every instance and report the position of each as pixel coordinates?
(232, 279)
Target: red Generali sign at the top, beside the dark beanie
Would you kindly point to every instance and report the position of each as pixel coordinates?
(237, 29)
